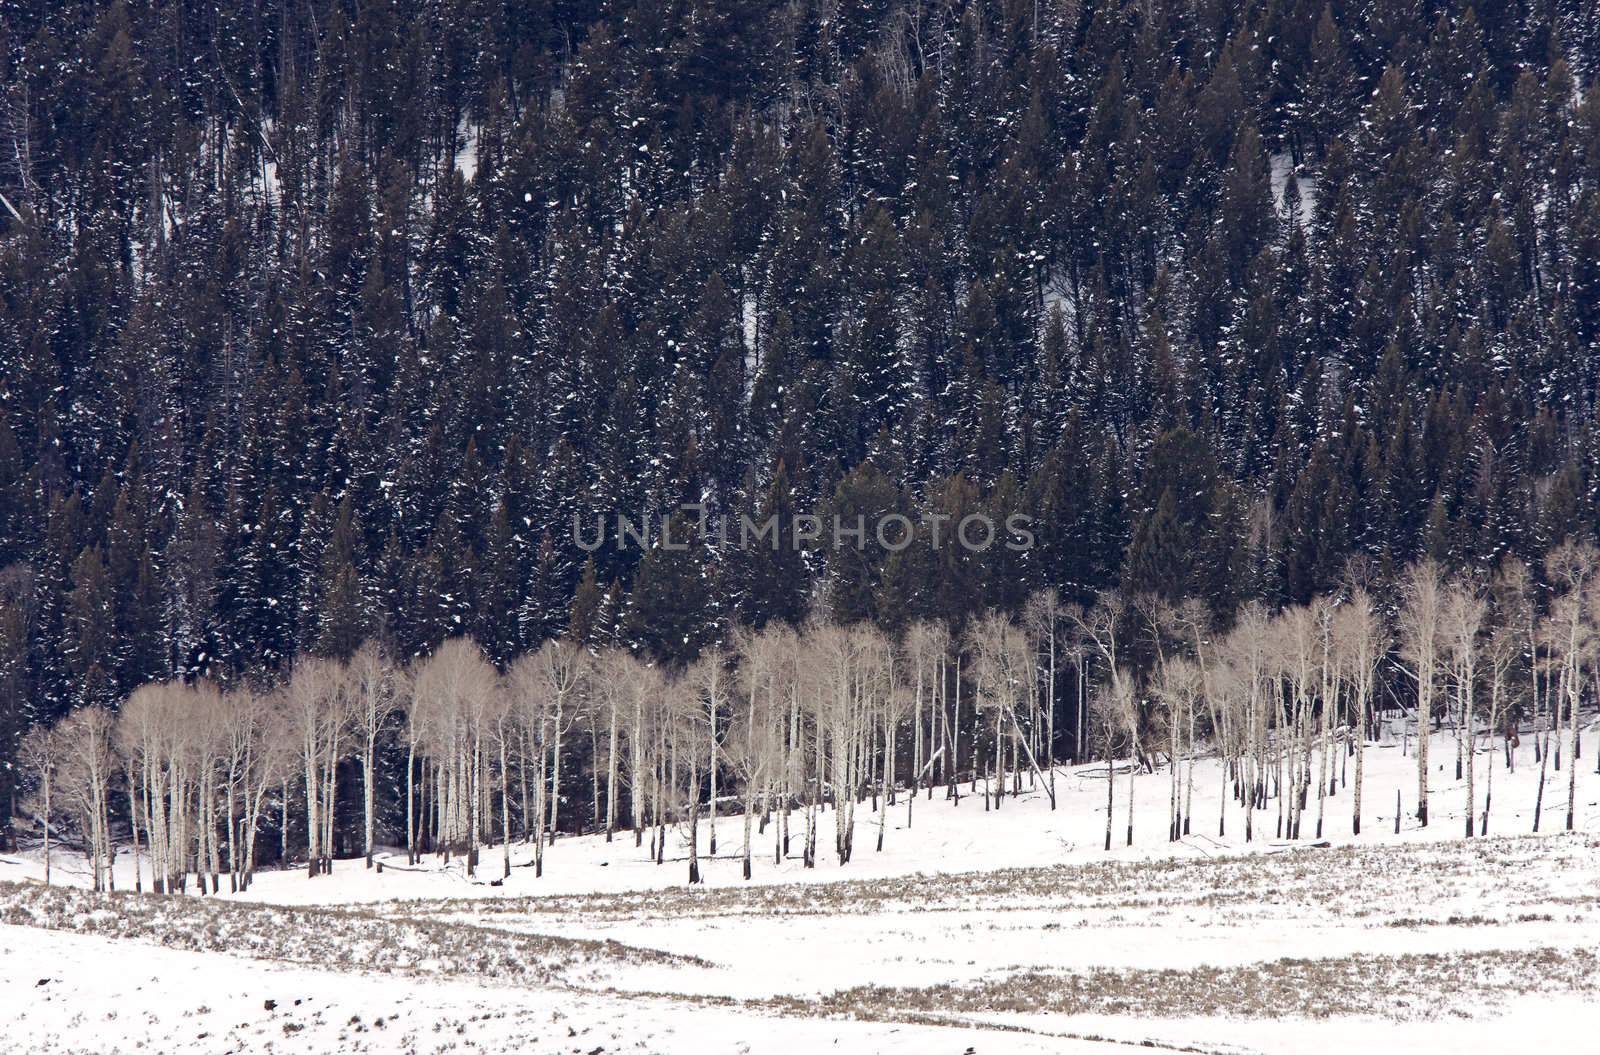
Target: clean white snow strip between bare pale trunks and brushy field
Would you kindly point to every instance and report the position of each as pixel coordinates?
(940, 836)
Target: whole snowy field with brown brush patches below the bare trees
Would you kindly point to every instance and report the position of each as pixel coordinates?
(972, 931)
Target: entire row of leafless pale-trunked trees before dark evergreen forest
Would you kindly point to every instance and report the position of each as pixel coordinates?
(785, 724)
